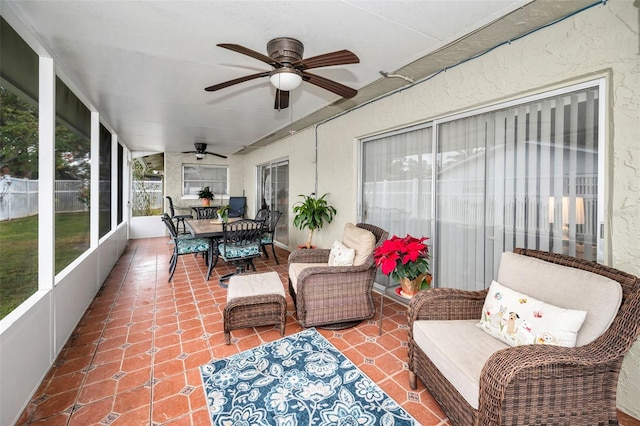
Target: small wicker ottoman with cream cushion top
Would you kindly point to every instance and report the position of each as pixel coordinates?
(254, 300)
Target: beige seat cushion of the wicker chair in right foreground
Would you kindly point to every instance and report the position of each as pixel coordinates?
(459, 350)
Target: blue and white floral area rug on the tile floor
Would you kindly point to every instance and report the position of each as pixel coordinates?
(301, 379)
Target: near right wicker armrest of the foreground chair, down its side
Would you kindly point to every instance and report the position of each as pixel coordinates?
(547, 379)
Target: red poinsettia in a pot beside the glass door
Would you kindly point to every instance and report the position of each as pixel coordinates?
(406, 260)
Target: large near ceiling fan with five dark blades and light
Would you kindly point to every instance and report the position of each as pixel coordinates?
(289, 69)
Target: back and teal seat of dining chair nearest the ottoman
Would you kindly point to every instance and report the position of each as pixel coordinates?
(241, 239)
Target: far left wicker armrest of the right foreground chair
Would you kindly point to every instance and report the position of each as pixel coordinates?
(446, 304)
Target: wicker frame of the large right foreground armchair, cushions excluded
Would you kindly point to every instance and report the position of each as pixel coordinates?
(533, 384)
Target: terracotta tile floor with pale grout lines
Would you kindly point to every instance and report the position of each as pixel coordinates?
(134, 357)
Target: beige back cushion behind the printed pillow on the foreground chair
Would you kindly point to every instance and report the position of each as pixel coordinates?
(565, 287)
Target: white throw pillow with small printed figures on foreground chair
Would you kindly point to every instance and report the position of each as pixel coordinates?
(518, 319)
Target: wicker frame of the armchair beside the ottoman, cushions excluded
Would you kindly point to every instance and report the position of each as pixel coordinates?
(334, 296)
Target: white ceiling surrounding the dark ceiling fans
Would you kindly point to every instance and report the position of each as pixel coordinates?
(144, 64)
